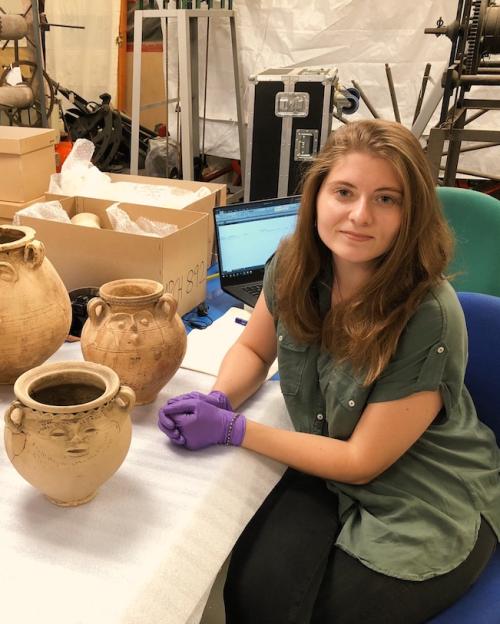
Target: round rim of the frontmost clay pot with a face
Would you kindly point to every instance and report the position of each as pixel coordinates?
(67, 370)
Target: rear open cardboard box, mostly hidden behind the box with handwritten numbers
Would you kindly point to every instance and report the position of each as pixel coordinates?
(205, 205)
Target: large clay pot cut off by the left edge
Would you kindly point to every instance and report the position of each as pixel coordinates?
(35, 310)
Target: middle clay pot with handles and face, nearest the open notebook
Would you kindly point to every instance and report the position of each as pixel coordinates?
(133, 328)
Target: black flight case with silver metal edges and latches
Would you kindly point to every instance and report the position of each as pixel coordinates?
(290, 118)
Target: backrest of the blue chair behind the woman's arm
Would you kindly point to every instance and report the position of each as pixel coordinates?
(482, 377)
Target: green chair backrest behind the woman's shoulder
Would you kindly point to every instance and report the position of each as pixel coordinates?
(475, 220)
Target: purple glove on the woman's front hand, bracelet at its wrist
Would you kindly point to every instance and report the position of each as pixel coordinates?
(196, 424)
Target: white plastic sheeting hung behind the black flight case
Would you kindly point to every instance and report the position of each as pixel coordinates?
(356, 36)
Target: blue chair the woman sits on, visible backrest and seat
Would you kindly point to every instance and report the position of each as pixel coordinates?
(481, 605)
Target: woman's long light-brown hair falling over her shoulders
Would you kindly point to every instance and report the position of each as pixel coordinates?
(365, 329)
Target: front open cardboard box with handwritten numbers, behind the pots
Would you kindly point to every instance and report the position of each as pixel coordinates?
(85, 256)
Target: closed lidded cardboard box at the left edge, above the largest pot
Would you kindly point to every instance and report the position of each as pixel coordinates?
(27, 160)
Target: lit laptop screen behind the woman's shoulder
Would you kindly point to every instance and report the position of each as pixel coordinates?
(248, 234)
